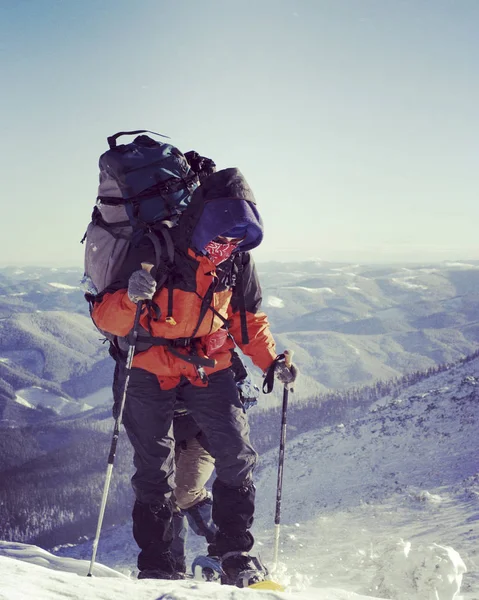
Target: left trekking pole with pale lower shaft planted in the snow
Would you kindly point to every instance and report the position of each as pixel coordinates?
(116, 428)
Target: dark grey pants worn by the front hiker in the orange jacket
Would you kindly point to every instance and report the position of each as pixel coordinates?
(218, 411)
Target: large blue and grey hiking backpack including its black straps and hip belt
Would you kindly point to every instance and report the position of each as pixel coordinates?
(145, 187)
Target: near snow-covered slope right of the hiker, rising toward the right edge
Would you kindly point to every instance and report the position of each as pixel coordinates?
(408, 470)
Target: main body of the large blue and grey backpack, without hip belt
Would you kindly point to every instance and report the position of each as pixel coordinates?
(142, 183)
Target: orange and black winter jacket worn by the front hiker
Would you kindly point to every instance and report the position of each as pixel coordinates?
(115, 314)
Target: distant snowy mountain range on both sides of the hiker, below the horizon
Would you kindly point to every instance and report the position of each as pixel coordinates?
(348, 325)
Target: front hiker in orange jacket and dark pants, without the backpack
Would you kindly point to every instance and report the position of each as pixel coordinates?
(186, 352)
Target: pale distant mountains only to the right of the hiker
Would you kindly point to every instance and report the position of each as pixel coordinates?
(351, 324)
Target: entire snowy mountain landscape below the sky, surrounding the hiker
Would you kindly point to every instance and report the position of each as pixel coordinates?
(380, 496)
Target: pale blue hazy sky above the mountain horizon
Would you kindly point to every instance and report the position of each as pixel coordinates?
(355, 121)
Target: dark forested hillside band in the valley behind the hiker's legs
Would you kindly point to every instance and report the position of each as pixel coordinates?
(52, 474)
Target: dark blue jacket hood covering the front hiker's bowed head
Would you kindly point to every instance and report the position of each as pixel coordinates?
(228, 204)
